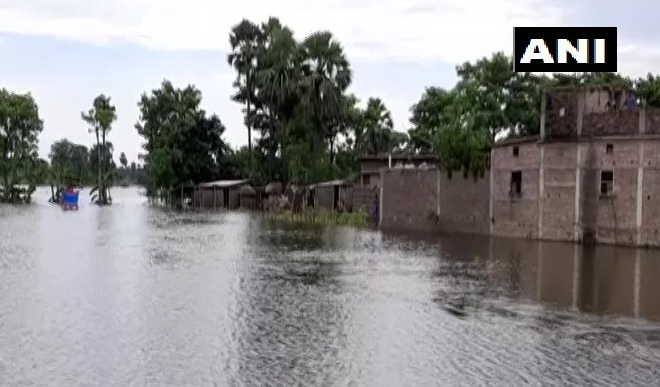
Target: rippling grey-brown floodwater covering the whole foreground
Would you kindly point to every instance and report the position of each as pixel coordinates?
(134, 295)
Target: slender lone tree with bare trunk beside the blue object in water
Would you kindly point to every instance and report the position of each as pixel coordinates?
(100, 119)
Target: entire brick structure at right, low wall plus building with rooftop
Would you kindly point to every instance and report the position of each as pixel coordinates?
(593, 174)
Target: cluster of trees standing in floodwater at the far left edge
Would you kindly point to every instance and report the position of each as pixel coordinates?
(21, 169)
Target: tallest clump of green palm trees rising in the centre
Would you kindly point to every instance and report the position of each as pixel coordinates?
(297, 97)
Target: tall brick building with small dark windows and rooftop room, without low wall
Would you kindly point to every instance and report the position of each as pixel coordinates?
(593, 174)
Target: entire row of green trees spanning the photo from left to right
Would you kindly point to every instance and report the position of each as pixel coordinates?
(302, 124)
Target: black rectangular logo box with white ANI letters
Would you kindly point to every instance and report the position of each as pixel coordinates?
(523, 35)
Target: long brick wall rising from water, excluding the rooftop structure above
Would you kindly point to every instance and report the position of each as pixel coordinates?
(559, 196)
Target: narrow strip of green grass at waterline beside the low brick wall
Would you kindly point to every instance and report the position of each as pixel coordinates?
(324, 218)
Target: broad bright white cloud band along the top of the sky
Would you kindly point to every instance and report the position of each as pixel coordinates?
(375, 30)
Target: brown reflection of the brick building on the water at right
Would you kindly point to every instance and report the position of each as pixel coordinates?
(602, 280)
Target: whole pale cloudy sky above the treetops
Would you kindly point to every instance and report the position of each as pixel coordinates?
(66, 52)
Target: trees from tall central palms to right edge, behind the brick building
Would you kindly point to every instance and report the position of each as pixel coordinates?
(309, 128)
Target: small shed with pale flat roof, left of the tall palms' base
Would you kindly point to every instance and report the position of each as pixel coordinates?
(229, 194)
